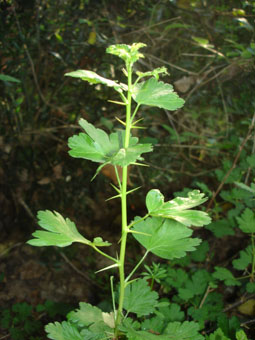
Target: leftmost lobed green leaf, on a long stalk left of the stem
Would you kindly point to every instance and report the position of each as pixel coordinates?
(61, 232)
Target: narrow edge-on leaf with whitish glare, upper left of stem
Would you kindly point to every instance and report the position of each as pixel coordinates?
(93, 78)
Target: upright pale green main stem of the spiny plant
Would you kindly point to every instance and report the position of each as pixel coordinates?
(124, 207)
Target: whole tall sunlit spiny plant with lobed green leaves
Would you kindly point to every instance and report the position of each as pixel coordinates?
(164, 231)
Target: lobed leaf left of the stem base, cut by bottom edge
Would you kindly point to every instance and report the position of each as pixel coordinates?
(63, 331)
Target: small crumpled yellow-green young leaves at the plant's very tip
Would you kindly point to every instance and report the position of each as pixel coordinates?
(129, 53)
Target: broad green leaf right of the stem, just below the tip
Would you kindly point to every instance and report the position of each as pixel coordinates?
(157, 93)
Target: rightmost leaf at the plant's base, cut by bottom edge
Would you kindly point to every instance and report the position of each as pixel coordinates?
(183, 331)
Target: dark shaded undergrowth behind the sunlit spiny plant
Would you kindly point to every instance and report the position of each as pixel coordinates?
(208, 48)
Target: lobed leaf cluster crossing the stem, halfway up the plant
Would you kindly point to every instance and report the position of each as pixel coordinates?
(97, 146)
